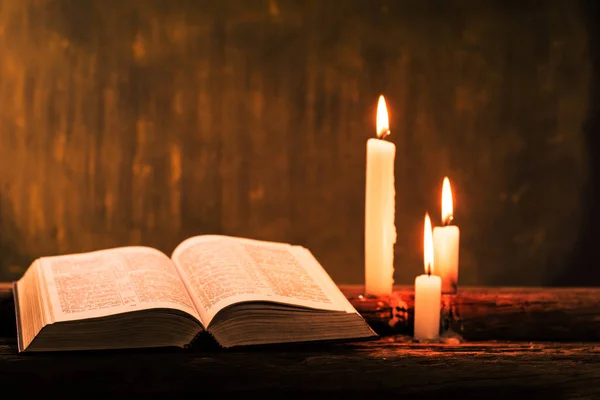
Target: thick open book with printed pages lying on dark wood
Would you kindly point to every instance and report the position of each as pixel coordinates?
(239, 291)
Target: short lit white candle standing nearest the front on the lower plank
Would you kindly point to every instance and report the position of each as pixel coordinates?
(428, 291)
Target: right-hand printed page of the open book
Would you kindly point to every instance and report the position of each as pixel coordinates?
(222, 270)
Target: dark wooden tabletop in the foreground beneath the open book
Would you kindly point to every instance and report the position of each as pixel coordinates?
(392, 365)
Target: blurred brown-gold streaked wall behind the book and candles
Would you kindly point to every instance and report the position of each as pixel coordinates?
(145, 122)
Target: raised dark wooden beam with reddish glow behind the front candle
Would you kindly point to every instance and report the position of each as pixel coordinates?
(493, 313)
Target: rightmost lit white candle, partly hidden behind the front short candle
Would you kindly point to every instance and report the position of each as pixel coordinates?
(446, 243)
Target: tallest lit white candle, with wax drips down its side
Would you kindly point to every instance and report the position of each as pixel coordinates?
(380, 206)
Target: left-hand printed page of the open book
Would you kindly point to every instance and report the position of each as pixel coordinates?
(112, 281)
